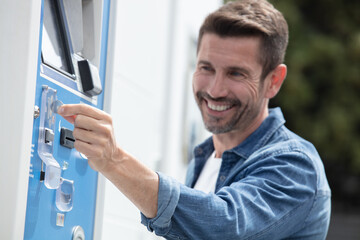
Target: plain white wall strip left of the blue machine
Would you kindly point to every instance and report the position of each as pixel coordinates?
(19, 40)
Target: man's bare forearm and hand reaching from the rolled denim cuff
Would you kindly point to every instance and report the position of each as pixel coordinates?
(94, 137)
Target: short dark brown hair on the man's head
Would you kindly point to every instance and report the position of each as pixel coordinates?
(251, 18)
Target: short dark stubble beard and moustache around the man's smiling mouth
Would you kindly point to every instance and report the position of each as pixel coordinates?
(218, 125)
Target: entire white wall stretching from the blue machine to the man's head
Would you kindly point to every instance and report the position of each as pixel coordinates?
(152, 56)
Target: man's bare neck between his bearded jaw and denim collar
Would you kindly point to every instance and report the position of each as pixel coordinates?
(229, 140)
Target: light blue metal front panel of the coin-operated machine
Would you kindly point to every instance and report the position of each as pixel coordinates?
(42, 213)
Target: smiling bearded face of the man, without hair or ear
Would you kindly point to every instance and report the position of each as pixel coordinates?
(226, 82)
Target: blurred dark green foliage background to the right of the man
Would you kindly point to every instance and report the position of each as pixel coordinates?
(320, 98)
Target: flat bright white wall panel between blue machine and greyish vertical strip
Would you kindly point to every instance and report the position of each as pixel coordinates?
(137, 93)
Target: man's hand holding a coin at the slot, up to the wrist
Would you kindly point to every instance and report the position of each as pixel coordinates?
(93, 133)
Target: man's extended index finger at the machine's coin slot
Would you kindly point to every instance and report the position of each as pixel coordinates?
(68, 110)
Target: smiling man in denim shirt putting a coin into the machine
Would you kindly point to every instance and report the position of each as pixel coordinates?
(253, 179)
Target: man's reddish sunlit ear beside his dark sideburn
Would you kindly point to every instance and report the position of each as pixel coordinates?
(277, 77)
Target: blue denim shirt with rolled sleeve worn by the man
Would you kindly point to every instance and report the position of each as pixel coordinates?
(271, 186)
